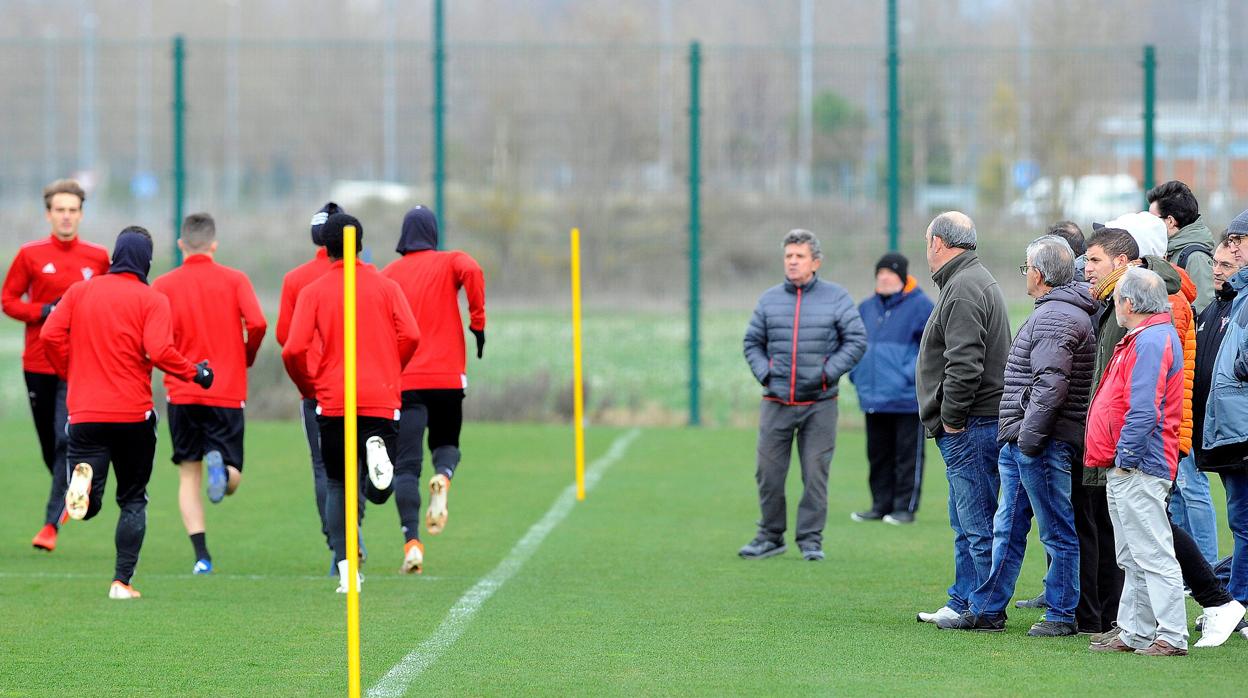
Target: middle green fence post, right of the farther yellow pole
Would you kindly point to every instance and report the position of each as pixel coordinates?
(695, 230)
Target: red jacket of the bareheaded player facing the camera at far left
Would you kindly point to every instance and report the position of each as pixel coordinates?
(43, 272)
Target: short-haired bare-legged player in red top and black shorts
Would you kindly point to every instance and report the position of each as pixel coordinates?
(218, 317)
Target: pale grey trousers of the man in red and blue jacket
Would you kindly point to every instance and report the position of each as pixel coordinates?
(1153, 592)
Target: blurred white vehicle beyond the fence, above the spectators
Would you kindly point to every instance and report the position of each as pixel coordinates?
(1086, 200)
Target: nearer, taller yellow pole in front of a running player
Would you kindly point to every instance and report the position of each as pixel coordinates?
(351, 470)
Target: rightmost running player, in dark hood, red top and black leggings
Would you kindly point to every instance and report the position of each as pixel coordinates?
(435, 380)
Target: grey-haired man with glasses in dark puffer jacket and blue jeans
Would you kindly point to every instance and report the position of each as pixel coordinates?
(1044, 409)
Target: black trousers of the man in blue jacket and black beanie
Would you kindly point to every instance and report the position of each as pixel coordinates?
(895, 453)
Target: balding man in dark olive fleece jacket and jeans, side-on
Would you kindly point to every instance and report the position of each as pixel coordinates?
(960, 380)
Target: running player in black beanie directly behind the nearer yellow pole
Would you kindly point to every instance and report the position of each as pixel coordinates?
(388, 335)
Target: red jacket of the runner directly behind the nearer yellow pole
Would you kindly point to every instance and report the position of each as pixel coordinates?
(386, 333)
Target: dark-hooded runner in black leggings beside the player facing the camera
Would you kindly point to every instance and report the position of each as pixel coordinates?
(104, 338)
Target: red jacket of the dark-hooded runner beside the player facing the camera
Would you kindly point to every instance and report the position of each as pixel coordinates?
(104, 338)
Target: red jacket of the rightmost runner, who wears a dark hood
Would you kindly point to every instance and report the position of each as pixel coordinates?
(431, 282)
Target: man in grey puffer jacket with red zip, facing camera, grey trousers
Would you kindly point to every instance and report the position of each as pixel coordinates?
(806, 334)
